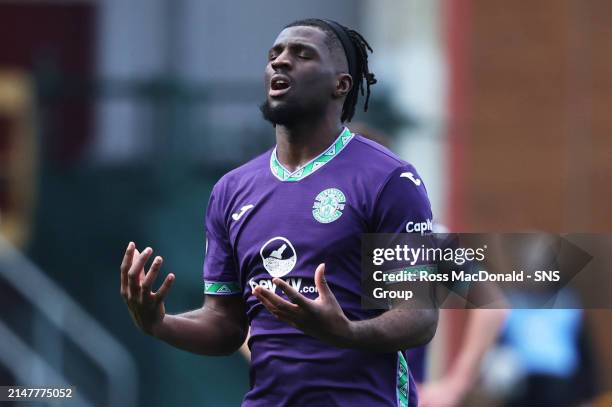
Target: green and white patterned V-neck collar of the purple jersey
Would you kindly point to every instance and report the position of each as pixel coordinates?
(319, 161)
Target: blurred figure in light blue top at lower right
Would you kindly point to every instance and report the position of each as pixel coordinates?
(551, 353)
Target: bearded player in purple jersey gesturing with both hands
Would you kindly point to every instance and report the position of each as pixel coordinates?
(300, 207)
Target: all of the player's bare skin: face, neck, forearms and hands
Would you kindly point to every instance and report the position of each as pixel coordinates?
(316, 76)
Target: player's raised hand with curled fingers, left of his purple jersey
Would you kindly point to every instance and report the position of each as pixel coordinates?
(146, 307)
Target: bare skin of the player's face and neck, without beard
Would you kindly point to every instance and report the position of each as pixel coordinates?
(317, 76)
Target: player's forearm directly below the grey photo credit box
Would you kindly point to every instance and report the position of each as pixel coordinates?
(396, 329)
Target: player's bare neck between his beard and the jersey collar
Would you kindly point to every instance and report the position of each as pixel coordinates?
(300, 143)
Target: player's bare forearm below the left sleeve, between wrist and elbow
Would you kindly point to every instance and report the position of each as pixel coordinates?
(203, 331)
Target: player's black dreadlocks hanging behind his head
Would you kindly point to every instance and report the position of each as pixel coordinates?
(355, 47)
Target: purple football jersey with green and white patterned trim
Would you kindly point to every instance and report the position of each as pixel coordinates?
(264, 221)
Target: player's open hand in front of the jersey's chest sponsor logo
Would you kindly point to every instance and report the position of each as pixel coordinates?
(321, 318)
